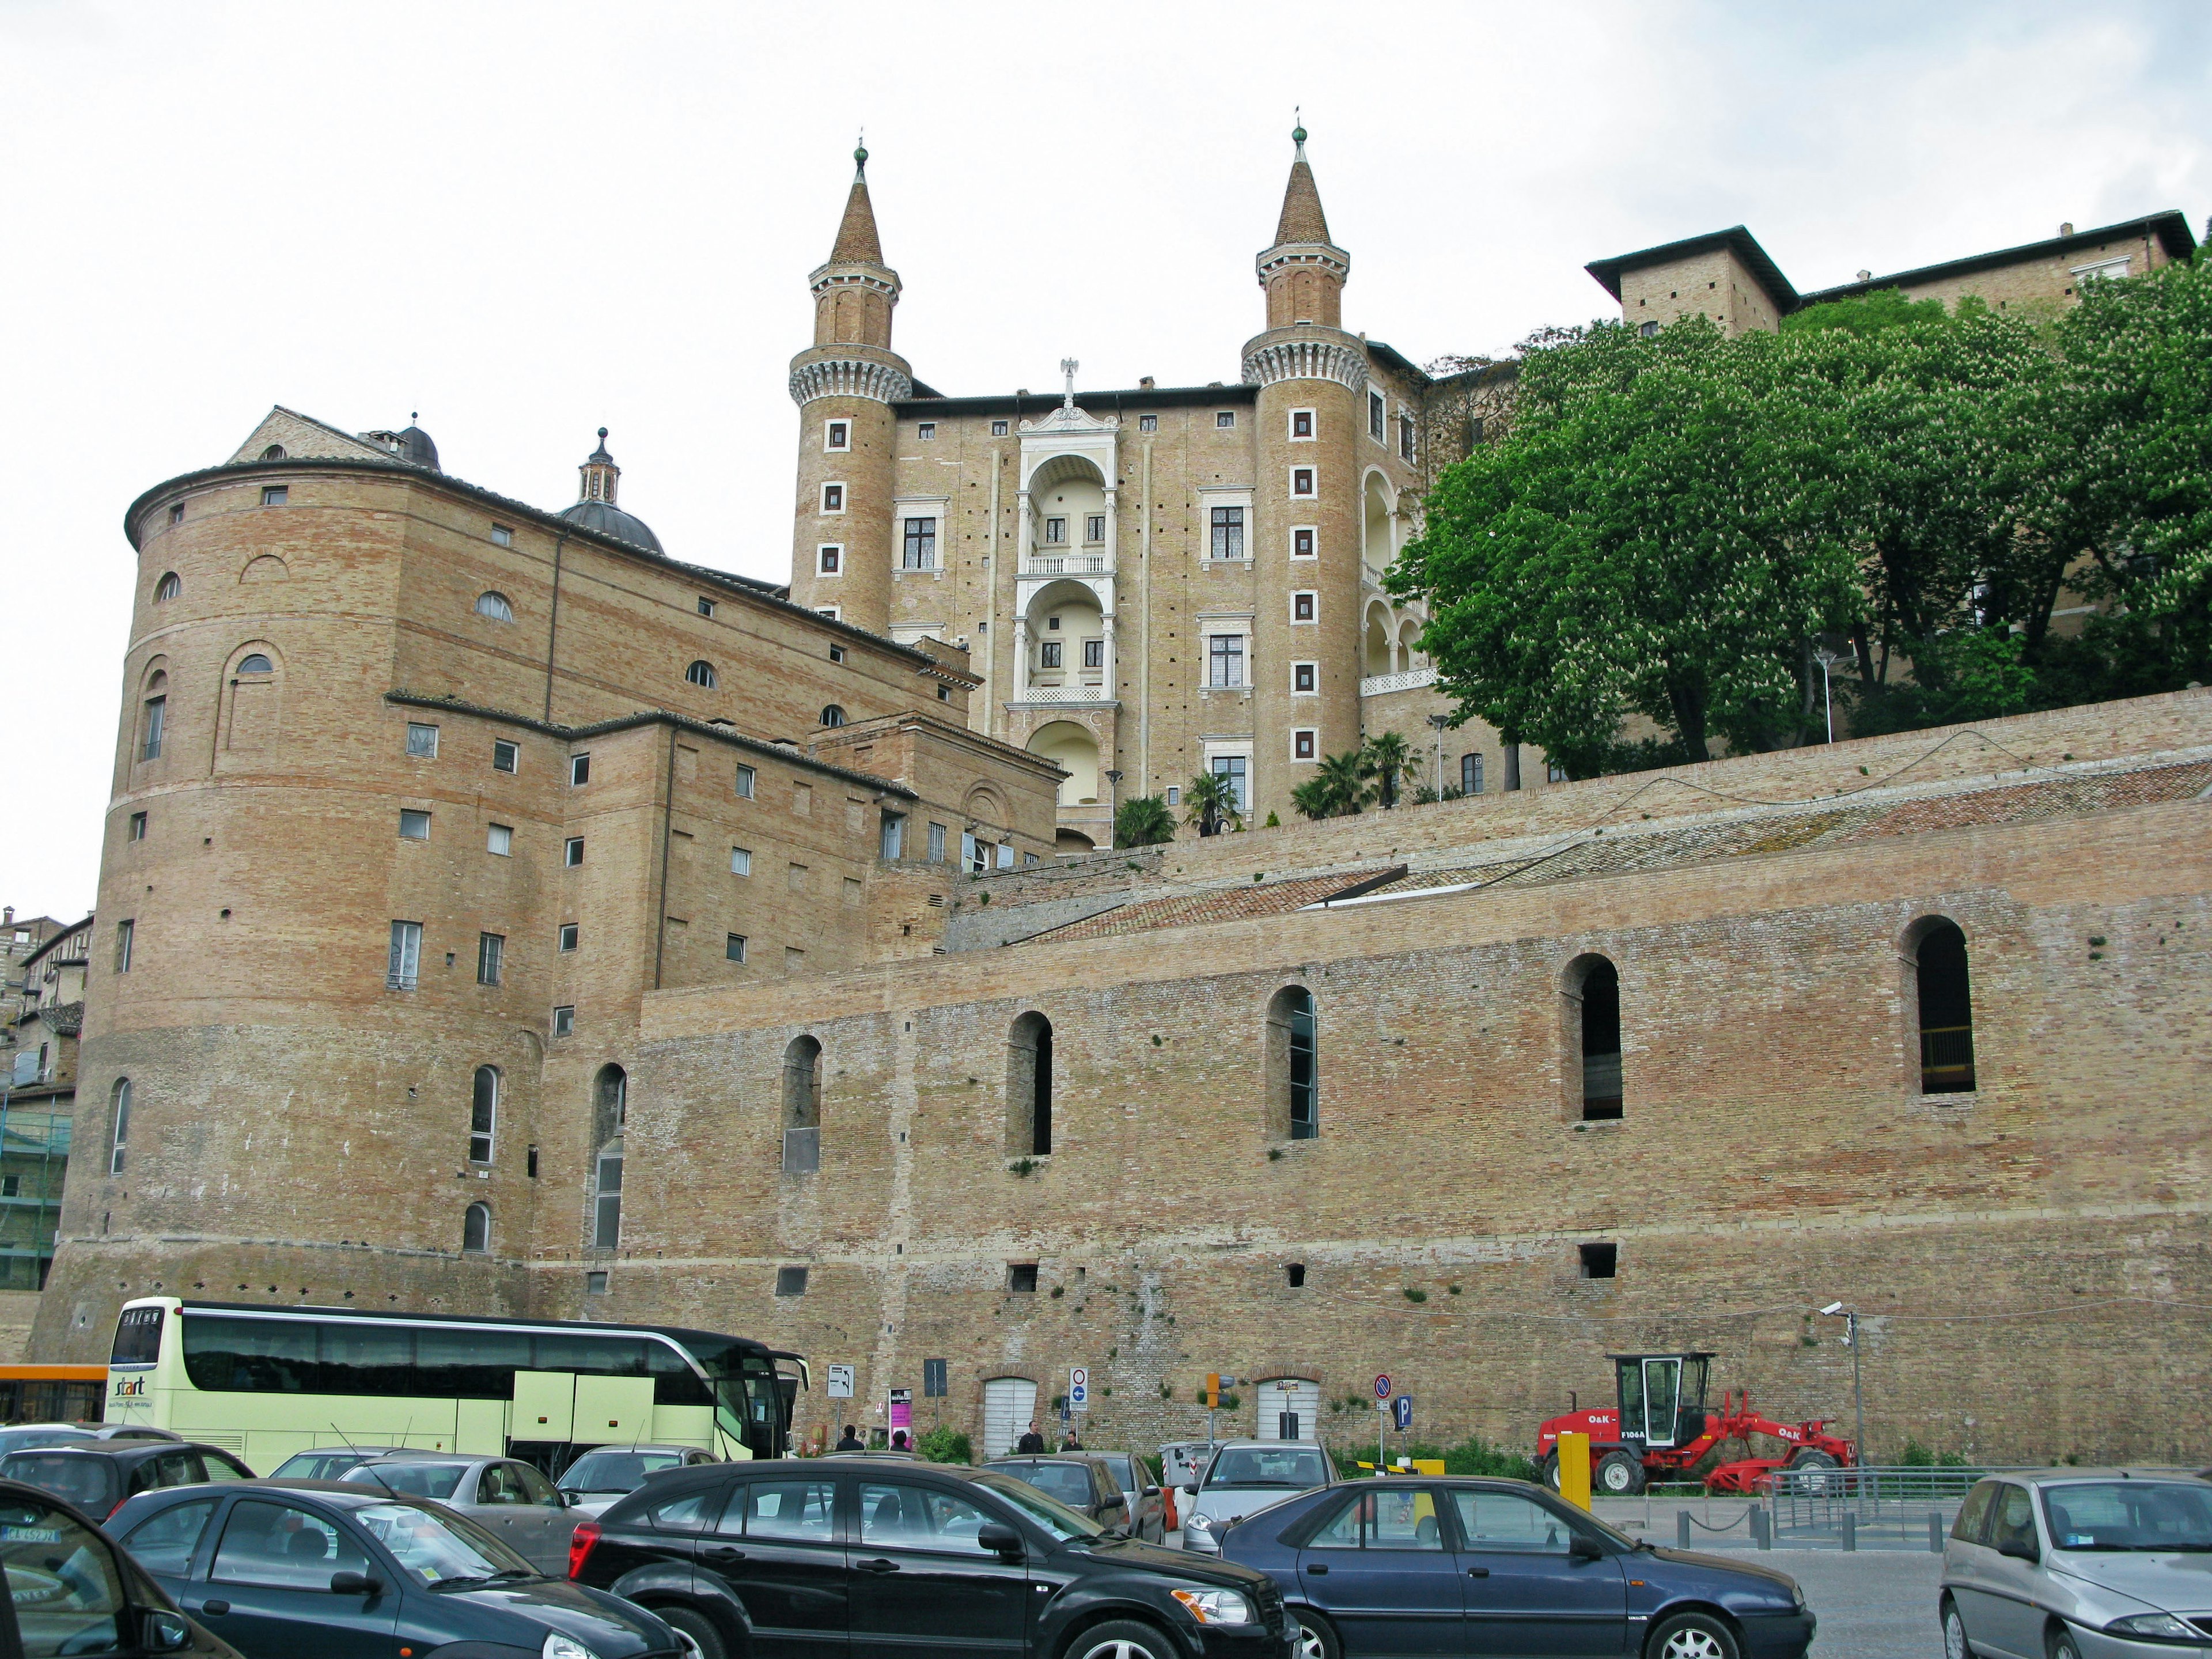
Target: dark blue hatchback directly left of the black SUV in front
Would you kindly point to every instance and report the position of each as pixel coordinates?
(284, 1569)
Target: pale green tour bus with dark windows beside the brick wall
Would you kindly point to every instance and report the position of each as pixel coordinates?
(271, 1381)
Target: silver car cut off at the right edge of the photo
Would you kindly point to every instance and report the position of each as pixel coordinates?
(2080, 1565)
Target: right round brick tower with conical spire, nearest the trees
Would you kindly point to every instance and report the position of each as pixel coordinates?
(1306, 499)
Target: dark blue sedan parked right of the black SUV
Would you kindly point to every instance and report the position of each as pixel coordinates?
(1505, 1572)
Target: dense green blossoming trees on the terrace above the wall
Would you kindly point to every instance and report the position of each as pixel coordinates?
(1684, 525)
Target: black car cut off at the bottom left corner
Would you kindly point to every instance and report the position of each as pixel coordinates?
(74, 1592)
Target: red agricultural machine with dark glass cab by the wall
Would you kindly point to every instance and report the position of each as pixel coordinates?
(1660, 1426)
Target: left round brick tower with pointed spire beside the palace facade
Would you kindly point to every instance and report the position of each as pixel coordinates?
(846, 386)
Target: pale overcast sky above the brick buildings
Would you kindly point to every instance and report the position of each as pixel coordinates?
(536, 220)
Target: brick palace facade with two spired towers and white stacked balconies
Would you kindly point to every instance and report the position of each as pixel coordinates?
(1151, 583)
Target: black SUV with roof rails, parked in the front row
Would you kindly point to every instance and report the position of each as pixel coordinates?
(817, 1556)
